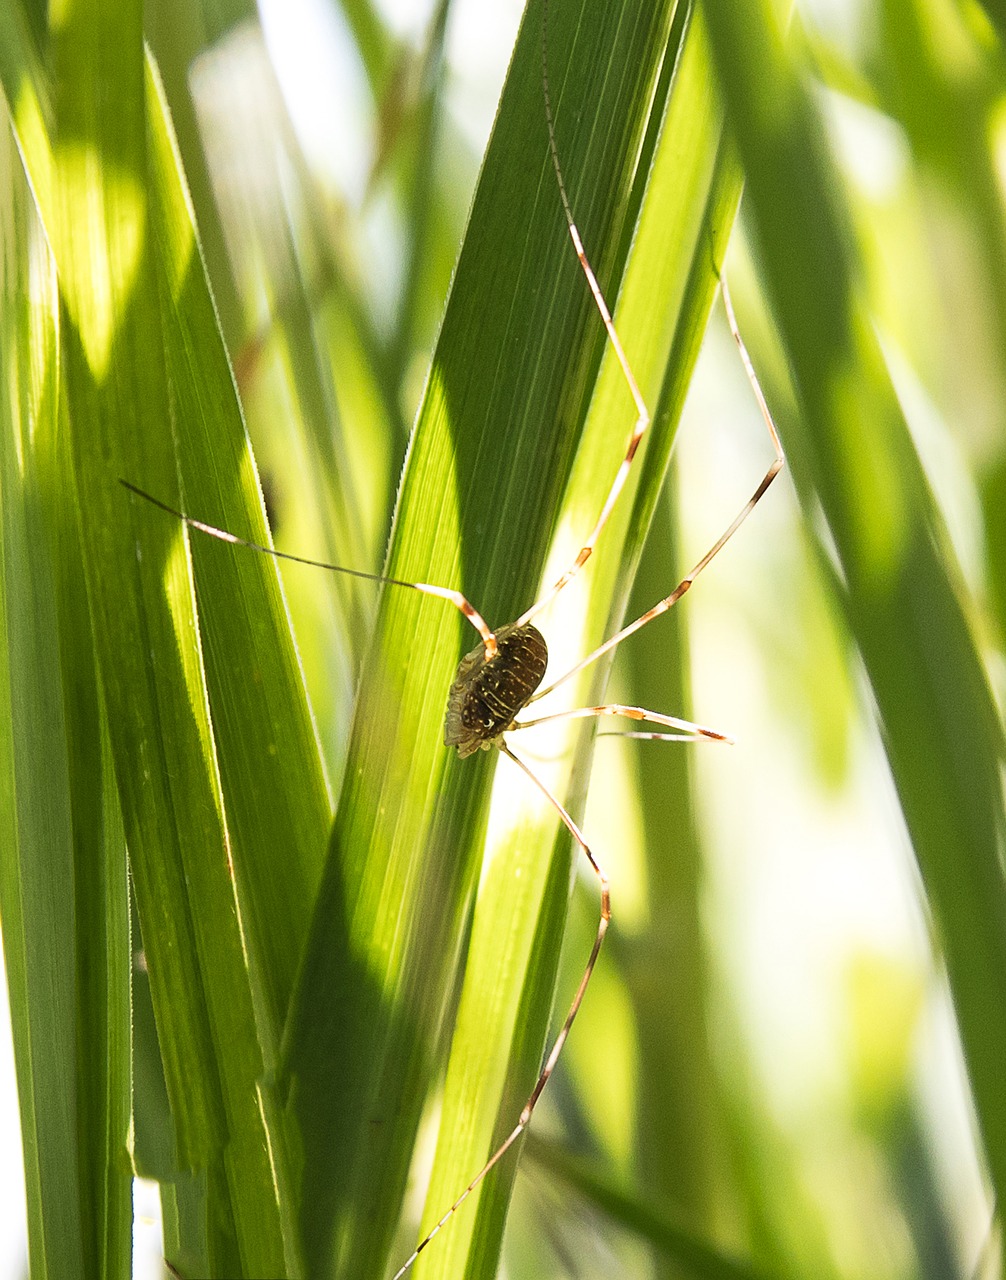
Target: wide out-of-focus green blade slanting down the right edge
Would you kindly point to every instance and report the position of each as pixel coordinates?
(894, 573)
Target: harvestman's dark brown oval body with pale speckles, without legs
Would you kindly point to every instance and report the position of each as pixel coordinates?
(486, 697)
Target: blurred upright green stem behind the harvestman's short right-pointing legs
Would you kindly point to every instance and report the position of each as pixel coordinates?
(666, 966)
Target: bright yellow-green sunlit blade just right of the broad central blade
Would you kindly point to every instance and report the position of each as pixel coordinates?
(692, 193)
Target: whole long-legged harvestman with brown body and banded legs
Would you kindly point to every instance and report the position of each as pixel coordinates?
(501, 676)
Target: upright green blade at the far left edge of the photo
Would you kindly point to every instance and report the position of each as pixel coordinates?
(63, 865)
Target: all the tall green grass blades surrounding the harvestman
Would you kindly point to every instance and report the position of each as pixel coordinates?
(304, 977)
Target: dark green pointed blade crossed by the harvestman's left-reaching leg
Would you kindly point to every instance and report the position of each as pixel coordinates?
(268, 752)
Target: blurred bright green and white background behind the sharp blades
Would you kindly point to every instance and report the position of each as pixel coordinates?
(769, 1063)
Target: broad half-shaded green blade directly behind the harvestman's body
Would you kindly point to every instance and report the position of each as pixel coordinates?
(484, 486)
